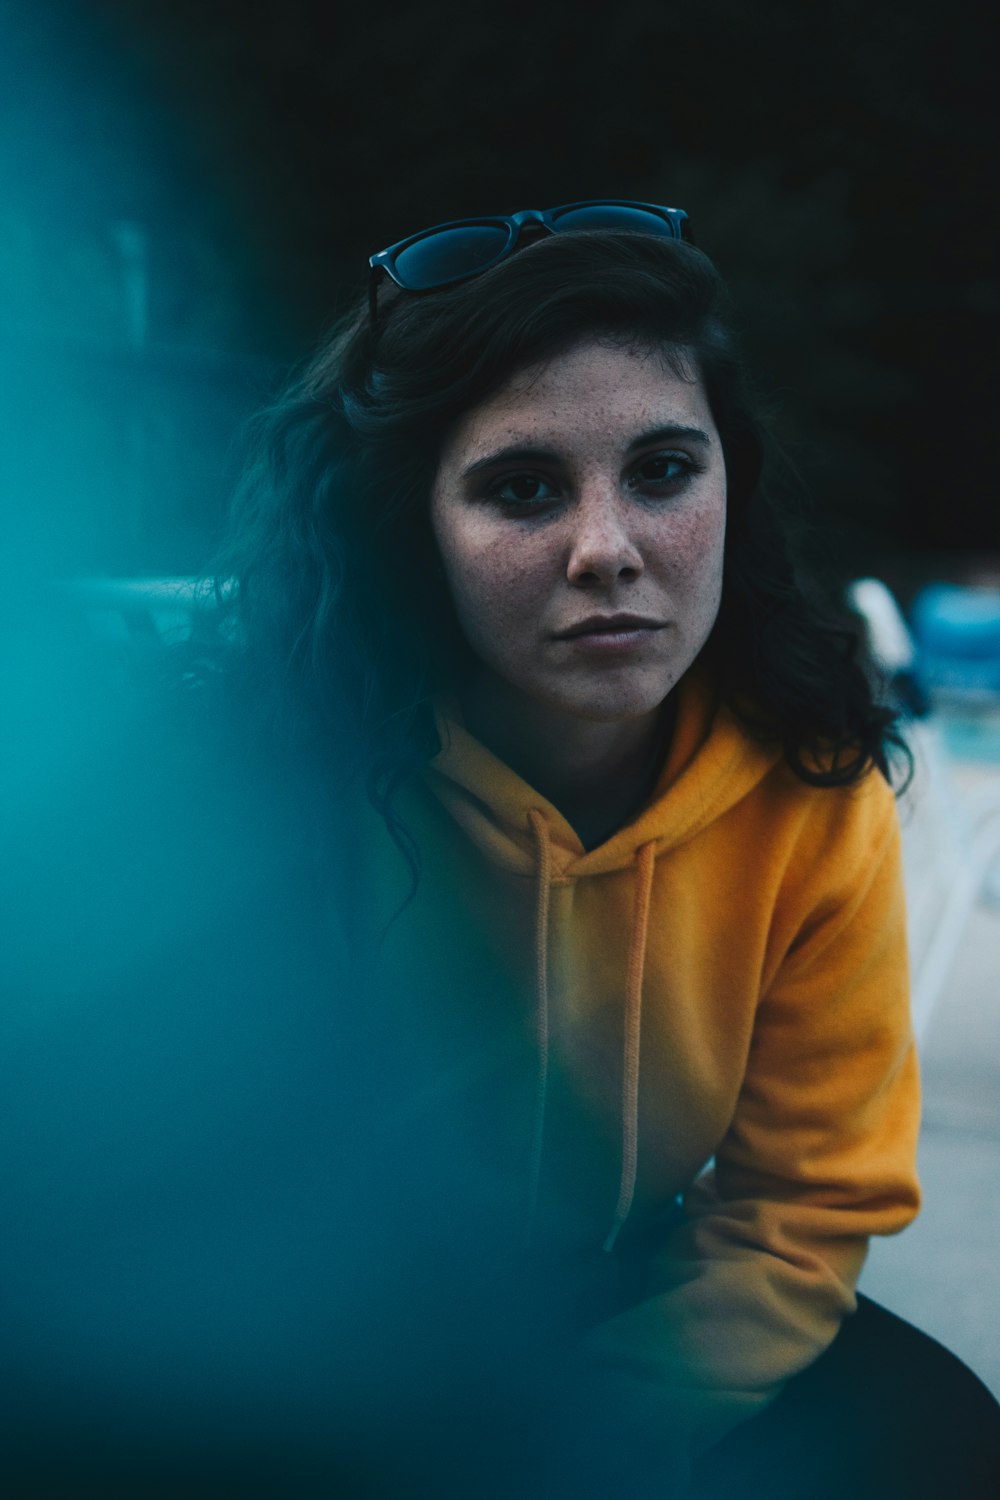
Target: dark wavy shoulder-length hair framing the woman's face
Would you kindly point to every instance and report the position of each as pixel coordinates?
(337, 611)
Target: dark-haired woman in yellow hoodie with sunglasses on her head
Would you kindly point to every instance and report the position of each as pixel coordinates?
(632, 880)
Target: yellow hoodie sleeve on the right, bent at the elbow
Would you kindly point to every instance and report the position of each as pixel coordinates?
(756, 1280)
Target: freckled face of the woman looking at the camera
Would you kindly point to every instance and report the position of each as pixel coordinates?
(581, 515)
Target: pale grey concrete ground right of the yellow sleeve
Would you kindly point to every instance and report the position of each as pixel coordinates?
(944, 1273)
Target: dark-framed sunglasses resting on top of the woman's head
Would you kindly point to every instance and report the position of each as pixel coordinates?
(452, 253)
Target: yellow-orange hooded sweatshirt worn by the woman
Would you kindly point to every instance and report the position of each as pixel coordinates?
(713, 1010)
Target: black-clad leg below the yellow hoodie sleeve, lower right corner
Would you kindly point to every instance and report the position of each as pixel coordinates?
(887, 1412)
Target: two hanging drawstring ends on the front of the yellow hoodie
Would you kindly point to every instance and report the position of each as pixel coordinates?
(645, 860)
